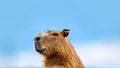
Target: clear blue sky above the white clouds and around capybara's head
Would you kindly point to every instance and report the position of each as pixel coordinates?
(88, 20)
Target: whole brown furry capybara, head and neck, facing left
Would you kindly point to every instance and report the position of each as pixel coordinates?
(57, 50)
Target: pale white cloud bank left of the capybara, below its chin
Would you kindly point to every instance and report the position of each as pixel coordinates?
(23, 59)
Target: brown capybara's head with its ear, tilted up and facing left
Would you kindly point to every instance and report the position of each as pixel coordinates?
(52, 42)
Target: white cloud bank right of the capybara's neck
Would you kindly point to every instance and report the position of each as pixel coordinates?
(99, 54)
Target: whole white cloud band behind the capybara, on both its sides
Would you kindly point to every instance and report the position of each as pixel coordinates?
(92, 54)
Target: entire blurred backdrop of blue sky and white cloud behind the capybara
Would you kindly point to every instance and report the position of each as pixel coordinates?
(94, 25)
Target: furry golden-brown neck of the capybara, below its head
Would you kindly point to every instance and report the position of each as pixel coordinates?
(63, 56)
